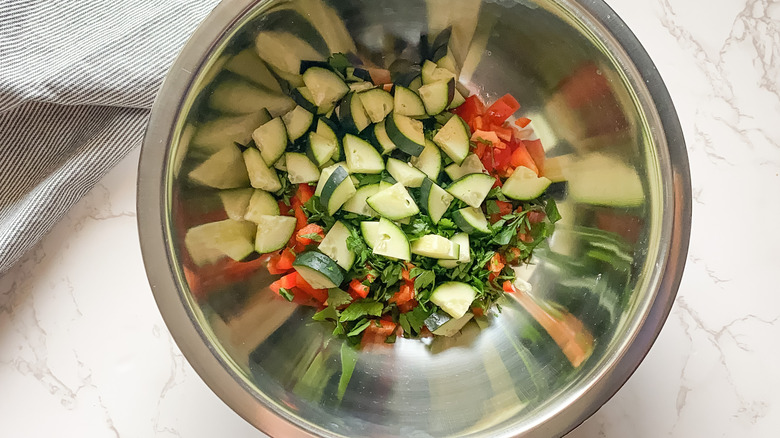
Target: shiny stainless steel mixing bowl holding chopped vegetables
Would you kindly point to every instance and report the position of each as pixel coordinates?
(610, 273)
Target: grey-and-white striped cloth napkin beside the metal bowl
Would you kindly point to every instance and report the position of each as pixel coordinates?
(77, 79)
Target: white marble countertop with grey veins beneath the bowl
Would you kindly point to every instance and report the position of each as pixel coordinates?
(84, 351)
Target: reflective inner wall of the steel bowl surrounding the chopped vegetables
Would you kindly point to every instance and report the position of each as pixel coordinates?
(517, 371)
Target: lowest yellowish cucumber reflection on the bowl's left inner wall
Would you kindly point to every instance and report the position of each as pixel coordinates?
(209, 242)
